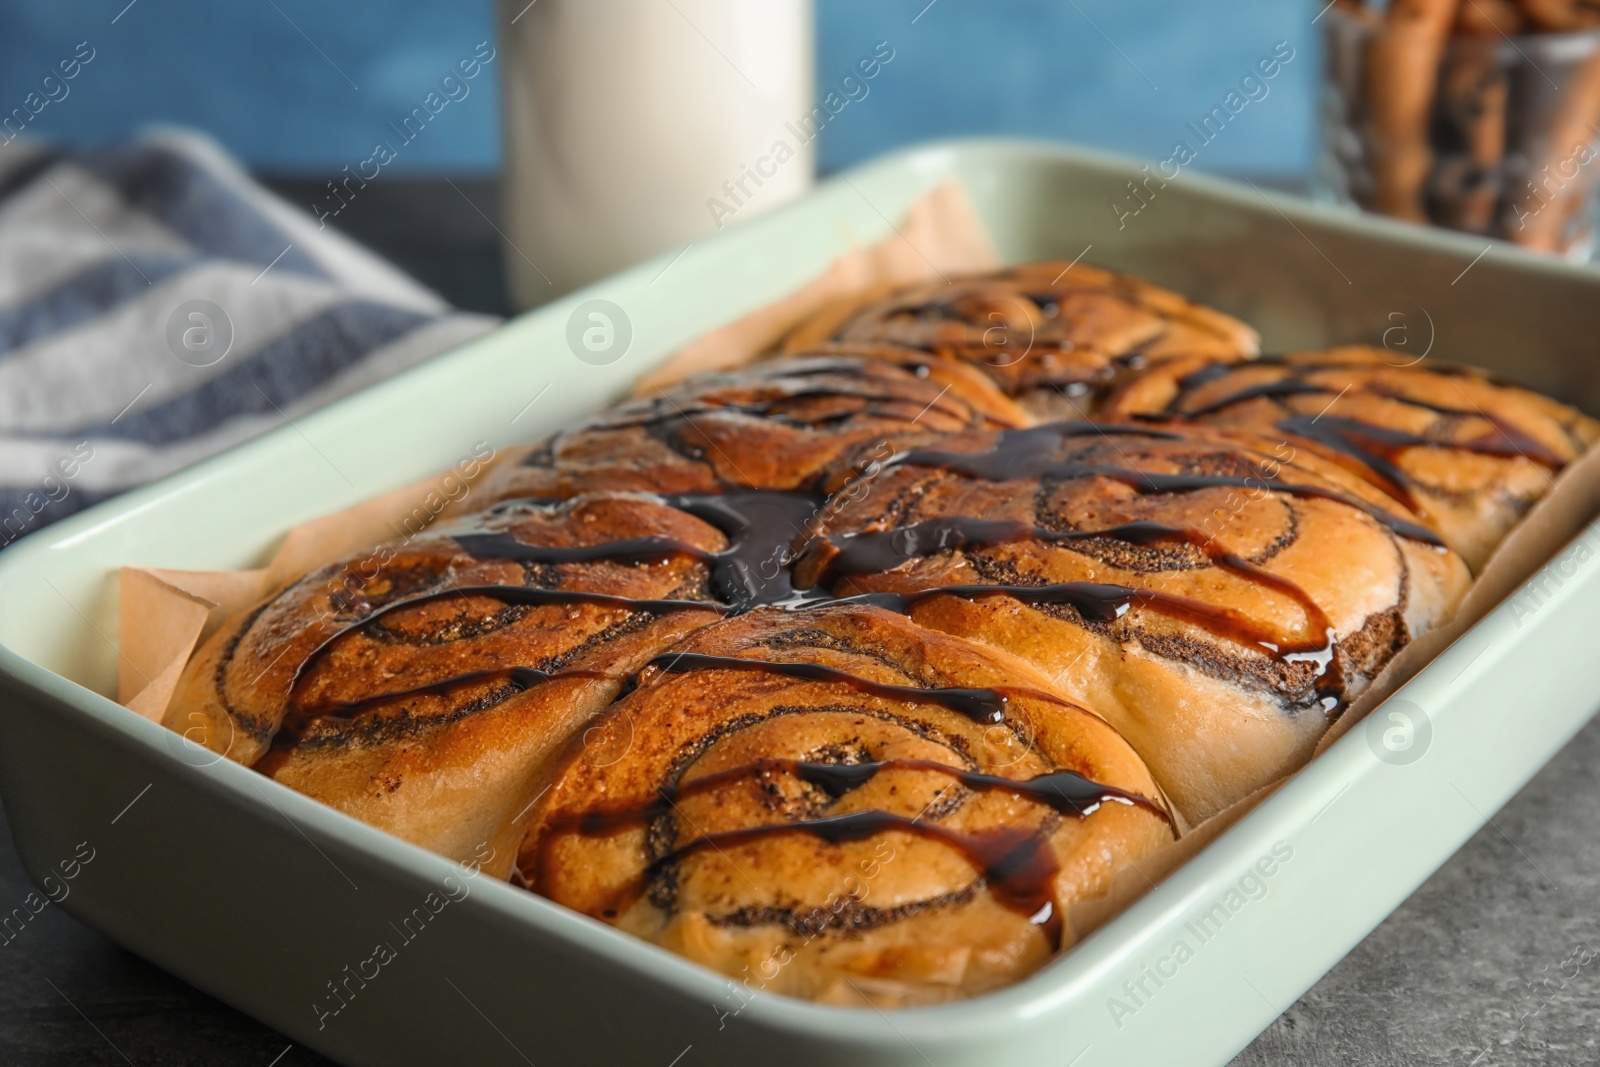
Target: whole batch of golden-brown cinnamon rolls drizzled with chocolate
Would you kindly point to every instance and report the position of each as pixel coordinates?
(1065, 641)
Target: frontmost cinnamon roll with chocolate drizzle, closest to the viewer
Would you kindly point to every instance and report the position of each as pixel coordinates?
(841, 805)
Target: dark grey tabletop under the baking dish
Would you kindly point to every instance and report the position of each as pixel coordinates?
(1494, 961)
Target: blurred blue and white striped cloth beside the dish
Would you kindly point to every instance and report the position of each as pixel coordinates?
(158, 306)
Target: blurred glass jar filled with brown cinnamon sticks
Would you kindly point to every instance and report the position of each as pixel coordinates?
(1490, 135)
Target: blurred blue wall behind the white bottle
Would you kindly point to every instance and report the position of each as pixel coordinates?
(306, 86)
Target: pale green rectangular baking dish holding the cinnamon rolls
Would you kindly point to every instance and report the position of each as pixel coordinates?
(276, 905)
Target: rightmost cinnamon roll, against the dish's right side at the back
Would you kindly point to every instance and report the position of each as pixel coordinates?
(1466, 454)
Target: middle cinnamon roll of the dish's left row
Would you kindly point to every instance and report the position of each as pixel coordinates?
(775, 426)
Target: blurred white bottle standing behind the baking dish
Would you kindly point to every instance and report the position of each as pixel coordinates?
(634, 127)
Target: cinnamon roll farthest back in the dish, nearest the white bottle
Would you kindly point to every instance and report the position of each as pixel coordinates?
(1052, 335)
